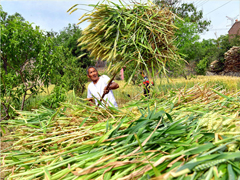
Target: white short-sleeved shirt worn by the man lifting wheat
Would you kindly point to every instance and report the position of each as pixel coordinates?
(98, 88)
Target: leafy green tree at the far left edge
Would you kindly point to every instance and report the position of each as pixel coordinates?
(27, 61)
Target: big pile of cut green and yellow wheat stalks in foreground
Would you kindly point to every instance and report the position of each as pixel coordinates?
(172, 137)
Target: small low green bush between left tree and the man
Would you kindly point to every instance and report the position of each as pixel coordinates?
(57, 96)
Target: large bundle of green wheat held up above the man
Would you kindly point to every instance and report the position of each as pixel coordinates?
(139, 33)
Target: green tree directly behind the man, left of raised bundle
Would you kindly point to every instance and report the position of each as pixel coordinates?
(71, 72)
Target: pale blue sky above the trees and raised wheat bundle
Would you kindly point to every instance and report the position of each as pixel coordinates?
(52, 14)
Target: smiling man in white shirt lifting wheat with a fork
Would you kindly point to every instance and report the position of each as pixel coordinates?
(98, 86)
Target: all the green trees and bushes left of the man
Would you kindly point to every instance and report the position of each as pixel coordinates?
(32, 59)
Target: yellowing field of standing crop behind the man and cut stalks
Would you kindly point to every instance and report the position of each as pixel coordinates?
(129, 92)
